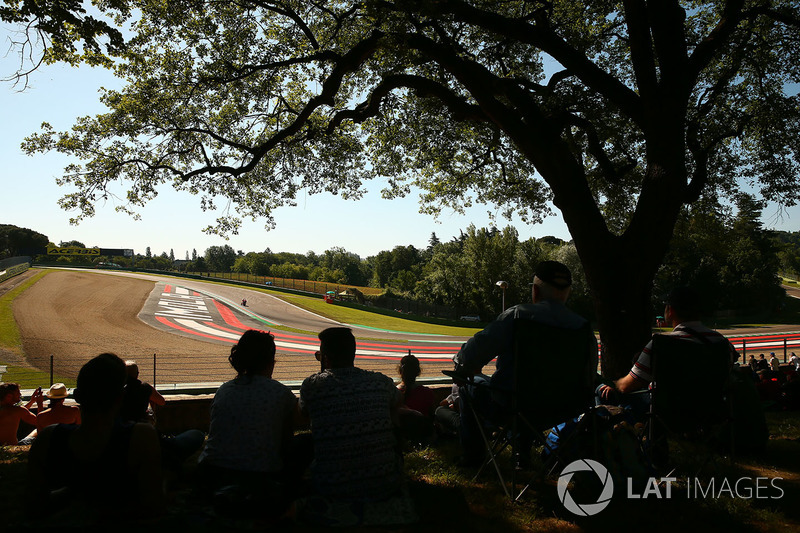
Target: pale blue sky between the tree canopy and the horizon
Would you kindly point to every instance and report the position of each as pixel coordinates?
(58, 94)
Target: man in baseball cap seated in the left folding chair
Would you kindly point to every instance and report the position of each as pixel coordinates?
(551, 287)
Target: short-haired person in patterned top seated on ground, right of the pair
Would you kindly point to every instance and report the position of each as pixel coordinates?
(356, 456)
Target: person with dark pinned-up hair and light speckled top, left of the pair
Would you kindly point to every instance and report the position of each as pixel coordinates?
(251, 422)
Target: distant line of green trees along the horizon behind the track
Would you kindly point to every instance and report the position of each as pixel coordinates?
(729, 257)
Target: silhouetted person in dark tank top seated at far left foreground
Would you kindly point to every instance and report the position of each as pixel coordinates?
(107, 472)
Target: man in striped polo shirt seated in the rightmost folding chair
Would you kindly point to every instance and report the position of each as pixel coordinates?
(682, 311)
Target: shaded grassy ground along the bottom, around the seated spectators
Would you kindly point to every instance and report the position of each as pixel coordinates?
(446, 498)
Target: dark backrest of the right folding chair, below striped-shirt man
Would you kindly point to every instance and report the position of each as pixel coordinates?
(689, 396)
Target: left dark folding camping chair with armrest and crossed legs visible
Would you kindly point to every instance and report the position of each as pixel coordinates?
(554, 371)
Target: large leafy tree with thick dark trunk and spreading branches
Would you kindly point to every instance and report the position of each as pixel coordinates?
(619, 112)
